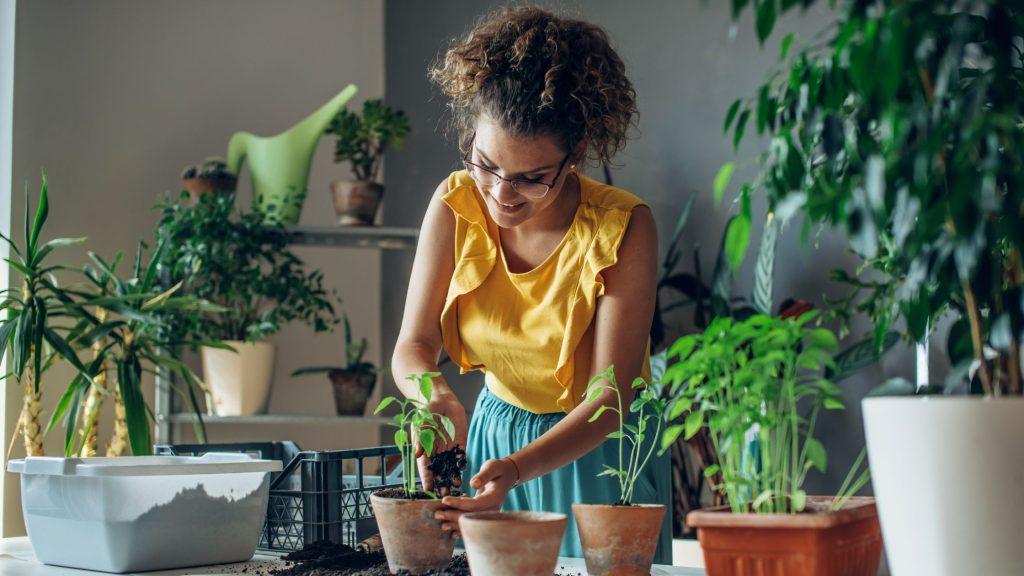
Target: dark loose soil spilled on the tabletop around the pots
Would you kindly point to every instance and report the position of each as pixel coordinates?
(326, 559)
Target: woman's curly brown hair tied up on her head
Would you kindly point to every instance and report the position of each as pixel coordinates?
(539, 74)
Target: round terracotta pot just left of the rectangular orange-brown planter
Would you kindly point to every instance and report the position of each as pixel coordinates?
(619, 541)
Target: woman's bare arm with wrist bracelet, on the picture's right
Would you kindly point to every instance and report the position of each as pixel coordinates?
(622, 328)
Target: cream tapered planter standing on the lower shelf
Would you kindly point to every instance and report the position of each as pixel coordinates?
(240, 383)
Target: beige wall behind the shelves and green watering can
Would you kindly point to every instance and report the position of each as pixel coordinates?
(114, 97)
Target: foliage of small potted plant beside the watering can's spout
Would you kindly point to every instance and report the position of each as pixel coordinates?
(363, 139)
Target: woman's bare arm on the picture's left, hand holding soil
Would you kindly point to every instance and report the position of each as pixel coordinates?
(419, 342)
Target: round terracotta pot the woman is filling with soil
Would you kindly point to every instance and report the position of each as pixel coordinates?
(413, 539)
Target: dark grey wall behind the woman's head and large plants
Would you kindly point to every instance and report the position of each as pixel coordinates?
(689, 62)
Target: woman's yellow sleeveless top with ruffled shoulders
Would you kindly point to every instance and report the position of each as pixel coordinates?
(531, 334)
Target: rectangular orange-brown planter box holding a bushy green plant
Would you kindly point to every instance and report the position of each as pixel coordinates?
(847, 543)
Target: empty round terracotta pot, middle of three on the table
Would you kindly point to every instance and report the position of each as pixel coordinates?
(513, 544)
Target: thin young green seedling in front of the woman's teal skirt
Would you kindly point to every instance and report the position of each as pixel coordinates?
(648, 404)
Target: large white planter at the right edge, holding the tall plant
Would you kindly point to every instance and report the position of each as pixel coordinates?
(949, 478)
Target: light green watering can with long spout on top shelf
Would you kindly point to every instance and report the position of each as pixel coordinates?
(280, 166)
